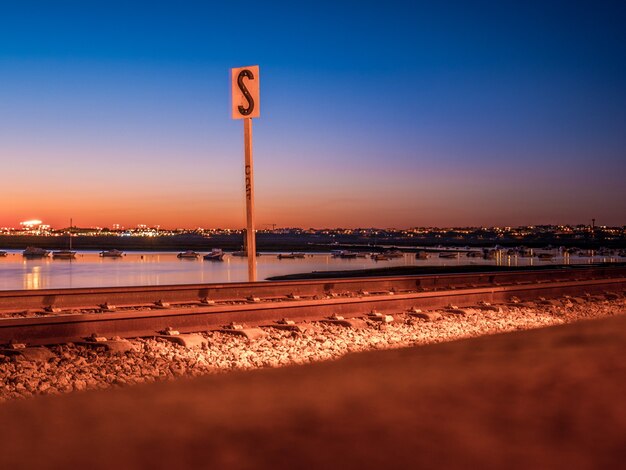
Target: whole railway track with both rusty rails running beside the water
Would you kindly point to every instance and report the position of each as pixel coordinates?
(63, 315)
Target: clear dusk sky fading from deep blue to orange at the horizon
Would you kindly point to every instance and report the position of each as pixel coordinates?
(376, 114)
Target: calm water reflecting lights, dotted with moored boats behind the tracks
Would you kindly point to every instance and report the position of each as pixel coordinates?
(152, 268)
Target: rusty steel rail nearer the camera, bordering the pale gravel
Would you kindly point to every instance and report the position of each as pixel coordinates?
(55, 329)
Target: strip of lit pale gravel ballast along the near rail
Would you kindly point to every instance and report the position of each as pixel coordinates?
(76, 368)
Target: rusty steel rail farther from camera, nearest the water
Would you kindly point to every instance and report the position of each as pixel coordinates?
(83, 298)
